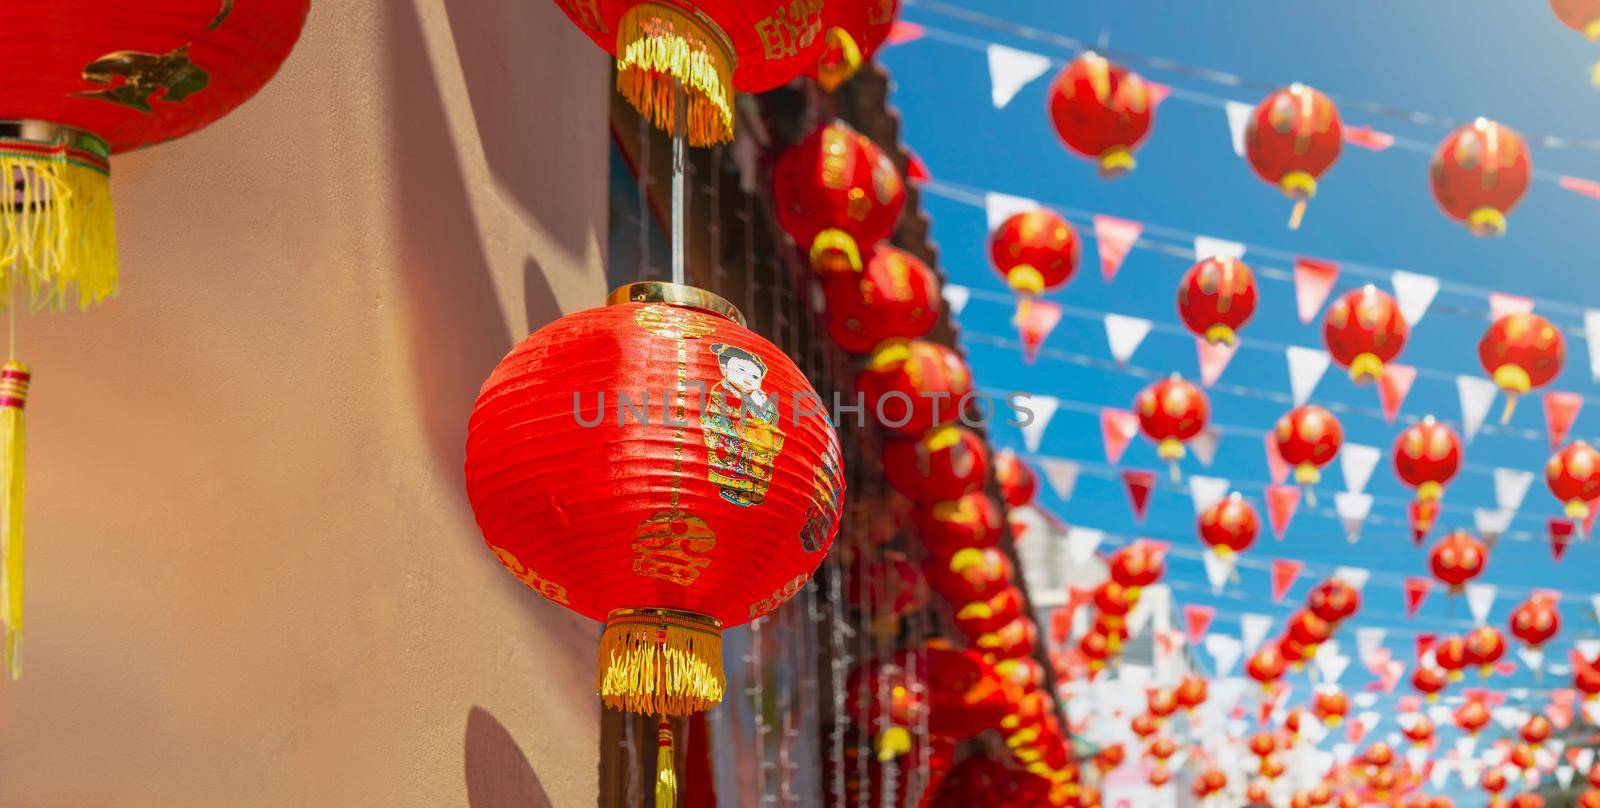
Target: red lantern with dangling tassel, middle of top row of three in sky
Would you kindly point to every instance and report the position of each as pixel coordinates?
(1292, 138)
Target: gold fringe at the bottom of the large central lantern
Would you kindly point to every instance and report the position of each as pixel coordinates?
(662, 663)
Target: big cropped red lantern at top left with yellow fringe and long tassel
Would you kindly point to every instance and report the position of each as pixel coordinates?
(86, 81)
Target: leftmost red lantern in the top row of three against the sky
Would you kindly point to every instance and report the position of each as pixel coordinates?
(1102, 111)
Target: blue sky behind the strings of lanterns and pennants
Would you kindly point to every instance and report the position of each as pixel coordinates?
(1510, 62)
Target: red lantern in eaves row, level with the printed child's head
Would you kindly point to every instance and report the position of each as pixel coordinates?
(913, 386)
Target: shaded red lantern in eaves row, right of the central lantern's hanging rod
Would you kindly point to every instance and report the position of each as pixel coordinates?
(838, 194)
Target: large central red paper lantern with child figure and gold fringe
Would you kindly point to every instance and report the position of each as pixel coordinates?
(668, 534)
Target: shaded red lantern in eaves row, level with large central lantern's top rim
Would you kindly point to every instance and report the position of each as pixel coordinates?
(897, 297)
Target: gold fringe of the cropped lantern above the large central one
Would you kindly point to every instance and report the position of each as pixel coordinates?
(662, 49)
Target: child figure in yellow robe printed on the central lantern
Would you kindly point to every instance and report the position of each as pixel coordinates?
(742, 428)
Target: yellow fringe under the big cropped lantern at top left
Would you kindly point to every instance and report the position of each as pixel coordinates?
(58, 234)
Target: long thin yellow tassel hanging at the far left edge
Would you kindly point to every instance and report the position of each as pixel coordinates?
(14, 398)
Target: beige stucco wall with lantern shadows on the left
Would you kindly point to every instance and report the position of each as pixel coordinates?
(254, 578)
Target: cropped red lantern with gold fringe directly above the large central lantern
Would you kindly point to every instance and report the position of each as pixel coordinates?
(706, 49)
